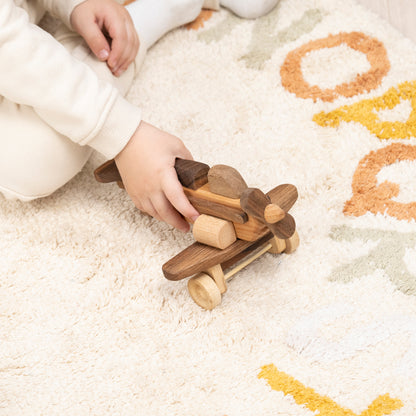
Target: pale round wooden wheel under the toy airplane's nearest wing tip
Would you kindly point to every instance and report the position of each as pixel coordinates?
(204, 291)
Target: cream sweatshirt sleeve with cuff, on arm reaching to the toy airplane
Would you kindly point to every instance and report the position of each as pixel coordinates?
(38, 71)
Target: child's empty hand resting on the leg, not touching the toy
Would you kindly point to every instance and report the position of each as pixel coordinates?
(108, 30)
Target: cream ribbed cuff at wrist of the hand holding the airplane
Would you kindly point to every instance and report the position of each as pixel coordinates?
(119, 127)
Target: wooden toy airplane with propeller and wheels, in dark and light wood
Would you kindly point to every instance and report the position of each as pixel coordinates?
(236, 226)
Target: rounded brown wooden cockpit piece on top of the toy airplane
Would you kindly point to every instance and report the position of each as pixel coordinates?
(226, 181)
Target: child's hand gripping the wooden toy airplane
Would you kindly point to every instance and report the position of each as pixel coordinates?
(146, 166)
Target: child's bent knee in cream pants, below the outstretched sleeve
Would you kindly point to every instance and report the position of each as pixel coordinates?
(34, 159)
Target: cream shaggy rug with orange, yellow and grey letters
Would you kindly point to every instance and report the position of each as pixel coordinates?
(320, 94)
